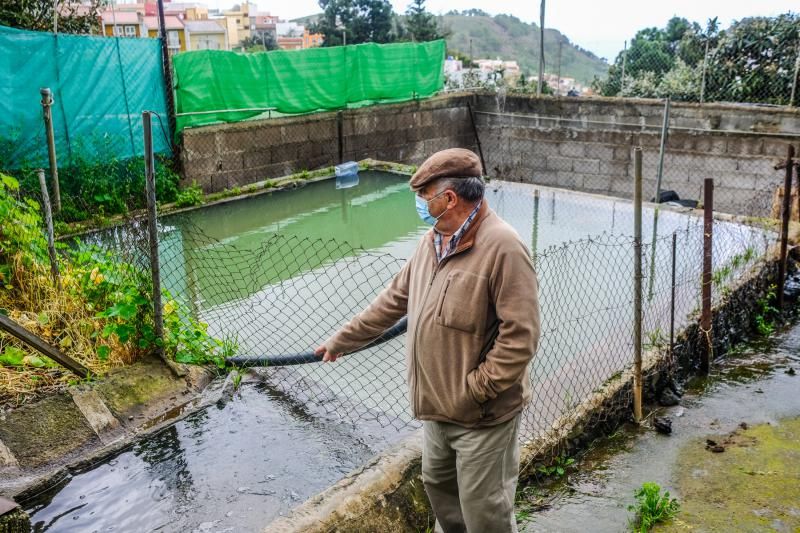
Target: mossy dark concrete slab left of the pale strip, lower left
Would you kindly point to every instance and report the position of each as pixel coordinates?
(45, 431)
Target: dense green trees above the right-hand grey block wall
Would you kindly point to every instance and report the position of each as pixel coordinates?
(752, 61)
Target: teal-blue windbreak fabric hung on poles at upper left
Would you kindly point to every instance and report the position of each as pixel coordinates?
(100, 87)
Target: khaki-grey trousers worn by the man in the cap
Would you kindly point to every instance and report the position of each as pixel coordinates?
(470, 476)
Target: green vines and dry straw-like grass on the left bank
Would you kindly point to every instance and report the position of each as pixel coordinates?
(99, 313)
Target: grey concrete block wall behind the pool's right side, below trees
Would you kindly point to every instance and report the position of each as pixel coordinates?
(587, 144)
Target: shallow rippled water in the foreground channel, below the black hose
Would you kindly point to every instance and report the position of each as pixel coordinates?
(233, 468)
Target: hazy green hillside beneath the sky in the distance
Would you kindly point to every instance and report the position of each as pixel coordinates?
(509, 38)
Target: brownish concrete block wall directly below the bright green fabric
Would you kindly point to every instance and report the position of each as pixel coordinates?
(229, 155)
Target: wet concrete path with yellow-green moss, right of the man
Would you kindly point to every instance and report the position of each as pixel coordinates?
(750, 405)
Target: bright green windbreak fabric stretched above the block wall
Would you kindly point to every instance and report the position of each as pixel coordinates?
(215, 86)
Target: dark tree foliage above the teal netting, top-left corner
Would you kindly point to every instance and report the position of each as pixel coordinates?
(38, 15)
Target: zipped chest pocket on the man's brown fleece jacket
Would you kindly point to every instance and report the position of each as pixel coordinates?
(463, 302)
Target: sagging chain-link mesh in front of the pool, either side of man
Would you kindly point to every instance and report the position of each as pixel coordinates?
(270, 292)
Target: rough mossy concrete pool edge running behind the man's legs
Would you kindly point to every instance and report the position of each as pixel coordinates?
(374, 493)
